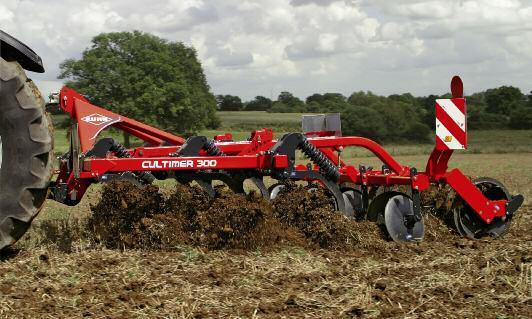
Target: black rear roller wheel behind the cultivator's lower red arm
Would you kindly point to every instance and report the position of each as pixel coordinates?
(466, 221)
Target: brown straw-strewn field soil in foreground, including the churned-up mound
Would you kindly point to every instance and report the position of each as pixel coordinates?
(146, 252)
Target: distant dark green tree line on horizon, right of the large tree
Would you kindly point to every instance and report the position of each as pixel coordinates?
(398, 116)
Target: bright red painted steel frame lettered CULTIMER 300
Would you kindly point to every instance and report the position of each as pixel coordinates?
(254, 153)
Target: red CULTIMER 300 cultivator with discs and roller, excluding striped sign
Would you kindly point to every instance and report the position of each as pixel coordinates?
(92, 160)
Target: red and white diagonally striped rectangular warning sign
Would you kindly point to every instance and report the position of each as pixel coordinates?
(451, 126)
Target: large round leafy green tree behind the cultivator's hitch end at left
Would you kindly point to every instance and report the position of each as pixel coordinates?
(144, 77)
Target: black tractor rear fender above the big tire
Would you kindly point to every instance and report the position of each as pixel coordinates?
(12, 49)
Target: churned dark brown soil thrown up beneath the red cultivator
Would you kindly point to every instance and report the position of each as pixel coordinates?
(142, 217)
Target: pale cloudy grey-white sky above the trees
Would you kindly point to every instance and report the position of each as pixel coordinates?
(250, 48)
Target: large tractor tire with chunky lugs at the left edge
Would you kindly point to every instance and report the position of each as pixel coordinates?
(26, 152)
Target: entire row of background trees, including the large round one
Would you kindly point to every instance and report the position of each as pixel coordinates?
(162, 83)
